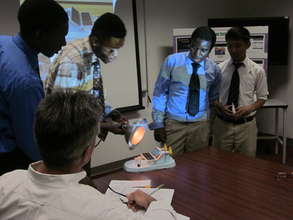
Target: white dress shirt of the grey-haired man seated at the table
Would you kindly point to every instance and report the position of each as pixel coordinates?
(30, 195)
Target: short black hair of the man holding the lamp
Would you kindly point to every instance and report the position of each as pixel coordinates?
(107, 26)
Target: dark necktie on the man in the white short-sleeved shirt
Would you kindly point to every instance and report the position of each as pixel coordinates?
(234, 86)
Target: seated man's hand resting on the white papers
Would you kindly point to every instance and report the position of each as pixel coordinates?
(139, 200)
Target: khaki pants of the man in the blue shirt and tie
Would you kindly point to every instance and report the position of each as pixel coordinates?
(186, 136)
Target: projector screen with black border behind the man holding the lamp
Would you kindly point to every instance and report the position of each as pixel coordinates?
(122, 79)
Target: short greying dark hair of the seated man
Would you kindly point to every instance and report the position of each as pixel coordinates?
(66, 123)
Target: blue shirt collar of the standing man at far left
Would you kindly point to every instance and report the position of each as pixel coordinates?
(31, 54)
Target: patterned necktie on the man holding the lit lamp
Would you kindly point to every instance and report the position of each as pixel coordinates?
(98, 90)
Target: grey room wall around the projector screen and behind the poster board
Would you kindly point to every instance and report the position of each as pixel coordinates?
(161, 16)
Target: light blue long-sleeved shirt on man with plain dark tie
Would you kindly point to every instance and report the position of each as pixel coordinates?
(172, 85)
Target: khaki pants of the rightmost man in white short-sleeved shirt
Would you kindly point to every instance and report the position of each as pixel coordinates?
(235, 137)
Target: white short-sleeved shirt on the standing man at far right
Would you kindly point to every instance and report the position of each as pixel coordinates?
(253, 82)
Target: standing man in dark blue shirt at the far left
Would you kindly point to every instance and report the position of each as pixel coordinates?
(43, 27)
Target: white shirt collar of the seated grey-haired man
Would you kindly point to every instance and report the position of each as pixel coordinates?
(51, 180)
